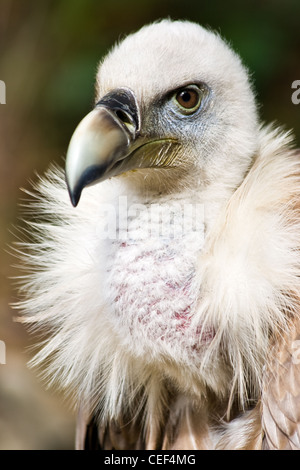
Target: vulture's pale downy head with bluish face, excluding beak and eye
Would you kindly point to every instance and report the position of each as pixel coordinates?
(219, 139)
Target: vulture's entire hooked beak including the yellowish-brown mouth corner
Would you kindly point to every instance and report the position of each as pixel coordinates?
(107, 142)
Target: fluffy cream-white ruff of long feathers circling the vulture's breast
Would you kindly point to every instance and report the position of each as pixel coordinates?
(248, 284)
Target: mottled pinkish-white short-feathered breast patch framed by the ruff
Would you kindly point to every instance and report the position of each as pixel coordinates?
(151, 275)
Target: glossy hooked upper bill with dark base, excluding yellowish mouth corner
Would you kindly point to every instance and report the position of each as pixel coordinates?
(101, 139)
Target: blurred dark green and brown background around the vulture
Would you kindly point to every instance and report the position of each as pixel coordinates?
(49, 51)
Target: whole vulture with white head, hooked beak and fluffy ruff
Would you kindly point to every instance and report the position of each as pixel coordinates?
(163, 265)
